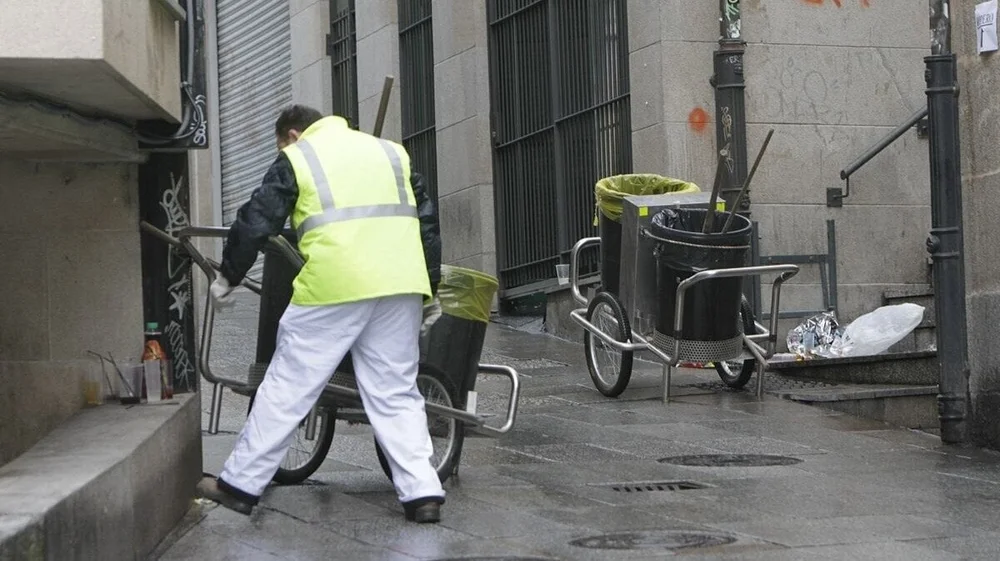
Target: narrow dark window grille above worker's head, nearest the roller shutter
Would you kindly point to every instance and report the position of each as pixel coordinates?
(342, 46)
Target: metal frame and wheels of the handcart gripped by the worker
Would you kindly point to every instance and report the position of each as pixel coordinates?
(449, 410)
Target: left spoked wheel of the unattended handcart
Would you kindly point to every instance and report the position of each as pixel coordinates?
(610, 368)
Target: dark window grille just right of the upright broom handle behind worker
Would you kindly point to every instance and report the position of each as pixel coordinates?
(416, 65)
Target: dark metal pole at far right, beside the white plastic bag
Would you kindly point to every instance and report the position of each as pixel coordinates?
(945, 243)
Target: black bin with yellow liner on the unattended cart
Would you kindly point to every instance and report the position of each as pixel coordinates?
(609, 194)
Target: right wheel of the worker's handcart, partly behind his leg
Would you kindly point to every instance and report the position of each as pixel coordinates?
(447, 434)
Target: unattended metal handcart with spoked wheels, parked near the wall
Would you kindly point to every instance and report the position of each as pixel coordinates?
(619, 323)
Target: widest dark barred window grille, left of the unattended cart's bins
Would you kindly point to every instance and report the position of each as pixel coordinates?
(559, 83)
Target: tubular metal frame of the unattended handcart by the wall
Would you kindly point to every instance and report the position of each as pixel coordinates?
(637, 343)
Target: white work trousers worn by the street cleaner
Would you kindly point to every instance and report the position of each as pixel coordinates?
(382, 335)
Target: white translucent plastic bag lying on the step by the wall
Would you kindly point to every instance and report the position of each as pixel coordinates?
(874, 332)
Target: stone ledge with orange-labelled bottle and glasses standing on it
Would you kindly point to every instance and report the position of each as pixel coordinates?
(109, 483)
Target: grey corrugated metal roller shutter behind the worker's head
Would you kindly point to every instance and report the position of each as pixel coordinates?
(255, 83)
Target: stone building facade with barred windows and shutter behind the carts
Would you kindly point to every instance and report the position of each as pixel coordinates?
(515, 108)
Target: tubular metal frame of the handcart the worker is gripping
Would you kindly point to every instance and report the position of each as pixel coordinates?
(336, 396)
